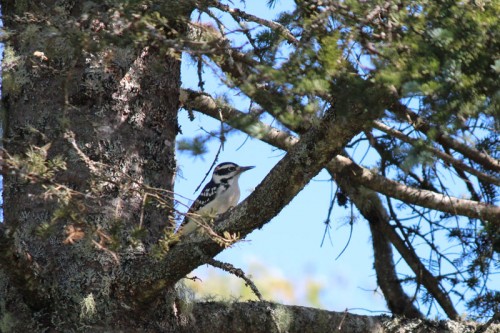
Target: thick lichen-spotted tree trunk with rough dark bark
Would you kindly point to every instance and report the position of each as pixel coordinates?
(111, 114)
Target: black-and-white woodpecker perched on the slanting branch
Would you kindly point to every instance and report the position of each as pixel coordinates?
(221, 193)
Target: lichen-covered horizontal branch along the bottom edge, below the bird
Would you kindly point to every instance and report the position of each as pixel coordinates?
(257, 317)
